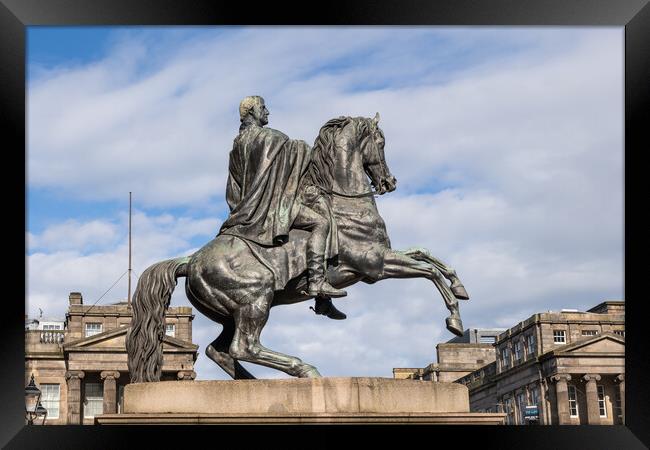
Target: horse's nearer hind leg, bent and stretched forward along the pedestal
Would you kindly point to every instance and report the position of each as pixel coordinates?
(250, 318)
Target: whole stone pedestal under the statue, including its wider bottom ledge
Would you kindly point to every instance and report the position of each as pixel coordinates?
(304, 400)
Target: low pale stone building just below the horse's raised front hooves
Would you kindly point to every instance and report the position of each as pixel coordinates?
(457, 357)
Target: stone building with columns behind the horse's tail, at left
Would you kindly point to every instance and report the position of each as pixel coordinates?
(80, 363)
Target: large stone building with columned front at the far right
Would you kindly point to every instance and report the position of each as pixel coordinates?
(568, 366)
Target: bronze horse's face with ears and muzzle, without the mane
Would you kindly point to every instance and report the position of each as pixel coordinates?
(374, 161)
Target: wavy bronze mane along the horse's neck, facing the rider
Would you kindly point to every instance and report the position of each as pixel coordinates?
(324, 149)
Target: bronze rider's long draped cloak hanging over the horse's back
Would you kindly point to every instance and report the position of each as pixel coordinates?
(264, 194)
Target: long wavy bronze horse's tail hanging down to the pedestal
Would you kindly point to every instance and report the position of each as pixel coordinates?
(150, 300)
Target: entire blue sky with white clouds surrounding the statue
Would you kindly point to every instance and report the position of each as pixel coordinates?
(500, 139)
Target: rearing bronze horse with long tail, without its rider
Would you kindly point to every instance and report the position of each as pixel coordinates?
(231, 281)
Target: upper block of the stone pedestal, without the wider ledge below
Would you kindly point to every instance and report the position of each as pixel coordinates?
(296, 396)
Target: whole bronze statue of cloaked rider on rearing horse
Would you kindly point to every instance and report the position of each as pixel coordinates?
(259, 259)
